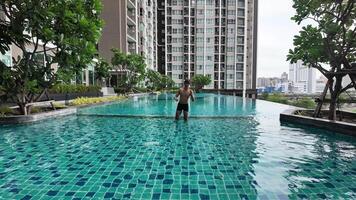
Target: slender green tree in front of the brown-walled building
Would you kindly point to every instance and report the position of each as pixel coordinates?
(134, 66)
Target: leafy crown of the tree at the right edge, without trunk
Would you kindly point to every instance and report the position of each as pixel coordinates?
(331, 40)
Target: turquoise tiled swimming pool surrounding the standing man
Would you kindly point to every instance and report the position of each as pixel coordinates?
(230, 148)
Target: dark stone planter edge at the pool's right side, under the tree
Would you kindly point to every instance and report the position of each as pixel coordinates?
(331, 125)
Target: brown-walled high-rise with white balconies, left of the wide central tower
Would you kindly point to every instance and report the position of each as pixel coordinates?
(129, 25)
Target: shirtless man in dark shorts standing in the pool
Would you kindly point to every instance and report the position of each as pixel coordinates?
(184, 94)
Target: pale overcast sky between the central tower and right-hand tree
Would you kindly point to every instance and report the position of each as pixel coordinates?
(275, 36)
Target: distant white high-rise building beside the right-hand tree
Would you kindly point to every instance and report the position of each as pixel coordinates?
(302, 77)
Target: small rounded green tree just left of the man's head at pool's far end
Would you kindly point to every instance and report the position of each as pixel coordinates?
(156, 81)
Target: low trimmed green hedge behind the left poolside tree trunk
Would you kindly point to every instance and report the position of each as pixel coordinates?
(70, 88)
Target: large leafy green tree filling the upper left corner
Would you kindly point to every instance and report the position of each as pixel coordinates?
(49, 34)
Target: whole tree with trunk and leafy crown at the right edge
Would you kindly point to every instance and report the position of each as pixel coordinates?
(329, 44)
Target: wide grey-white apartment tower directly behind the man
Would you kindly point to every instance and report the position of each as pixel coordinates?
(217, 38)
